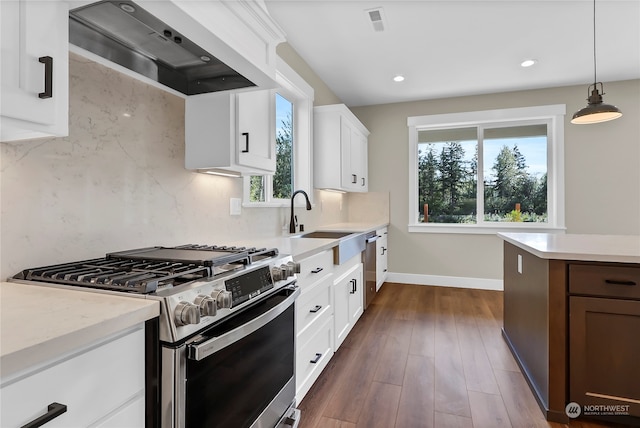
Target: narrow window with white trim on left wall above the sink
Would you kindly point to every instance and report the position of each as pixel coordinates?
(293, 109)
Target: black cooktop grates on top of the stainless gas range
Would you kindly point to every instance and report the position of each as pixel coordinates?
(146, 270)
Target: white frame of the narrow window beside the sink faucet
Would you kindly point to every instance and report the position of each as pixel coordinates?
(294, 88)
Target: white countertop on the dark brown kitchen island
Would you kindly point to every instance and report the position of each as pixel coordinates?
(602, 248)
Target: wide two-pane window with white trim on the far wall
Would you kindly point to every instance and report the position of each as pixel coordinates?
(479, 172)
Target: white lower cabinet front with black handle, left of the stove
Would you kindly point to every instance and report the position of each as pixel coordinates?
(102, 386)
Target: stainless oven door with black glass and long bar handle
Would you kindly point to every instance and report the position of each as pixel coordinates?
(239, 373)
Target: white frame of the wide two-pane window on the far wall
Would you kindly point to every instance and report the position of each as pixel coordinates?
(553, 115)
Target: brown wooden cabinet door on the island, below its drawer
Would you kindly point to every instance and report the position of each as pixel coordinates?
(604, 353)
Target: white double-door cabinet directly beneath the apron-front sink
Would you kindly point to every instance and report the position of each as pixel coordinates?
(347, 302)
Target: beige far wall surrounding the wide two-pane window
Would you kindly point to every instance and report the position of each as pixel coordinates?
(602, 176)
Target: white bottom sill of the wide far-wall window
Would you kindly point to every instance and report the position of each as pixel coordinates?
(484, 229)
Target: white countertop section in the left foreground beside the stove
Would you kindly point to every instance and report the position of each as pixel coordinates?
(41, 323)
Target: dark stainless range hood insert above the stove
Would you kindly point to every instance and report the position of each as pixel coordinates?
(125, 33)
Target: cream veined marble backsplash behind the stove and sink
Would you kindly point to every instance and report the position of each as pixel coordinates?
(118, 181)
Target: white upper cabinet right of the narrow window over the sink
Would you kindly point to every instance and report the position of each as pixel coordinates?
(340, 150)
